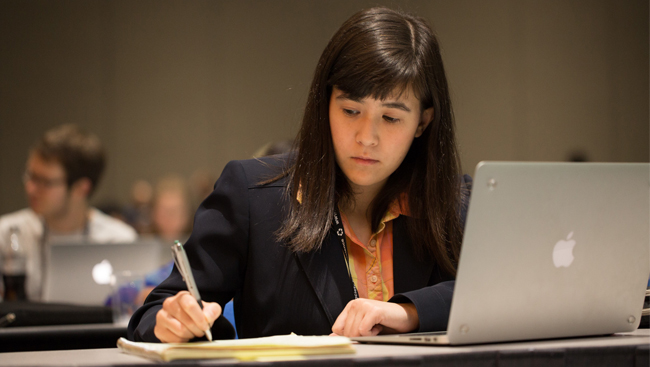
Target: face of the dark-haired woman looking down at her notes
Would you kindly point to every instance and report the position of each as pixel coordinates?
(371, 137)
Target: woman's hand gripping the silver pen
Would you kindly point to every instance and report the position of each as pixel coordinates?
(181, 318)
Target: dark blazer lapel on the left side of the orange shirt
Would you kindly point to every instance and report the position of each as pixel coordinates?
(328, 276)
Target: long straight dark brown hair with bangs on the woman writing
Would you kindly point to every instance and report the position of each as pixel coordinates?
(374, 53)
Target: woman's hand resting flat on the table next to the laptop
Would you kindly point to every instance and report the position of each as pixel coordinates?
(365, 317)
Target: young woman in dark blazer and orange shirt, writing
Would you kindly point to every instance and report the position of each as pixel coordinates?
(368, 209)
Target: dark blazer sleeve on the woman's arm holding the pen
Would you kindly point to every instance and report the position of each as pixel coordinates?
(216, 249)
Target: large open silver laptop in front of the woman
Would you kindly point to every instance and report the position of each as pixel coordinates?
(551, 250)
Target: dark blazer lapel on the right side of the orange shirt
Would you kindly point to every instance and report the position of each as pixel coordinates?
(409, 272)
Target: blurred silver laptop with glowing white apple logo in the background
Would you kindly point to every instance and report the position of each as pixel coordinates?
(80, 273)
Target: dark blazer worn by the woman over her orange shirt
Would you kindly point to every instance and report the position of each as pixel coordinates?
(234, 254)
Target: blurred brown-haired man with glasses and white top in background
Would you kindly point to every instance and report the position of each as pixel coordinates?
(63, 171)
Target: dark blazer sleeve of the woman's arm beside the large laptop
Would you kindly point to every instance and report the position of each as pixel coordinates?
(433, 303)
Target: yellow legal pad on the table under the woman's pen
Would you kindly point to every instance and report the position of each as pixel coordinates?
(270, 347)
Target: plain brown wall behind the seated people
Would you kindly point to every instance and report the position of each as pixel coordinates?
(176, 86)
